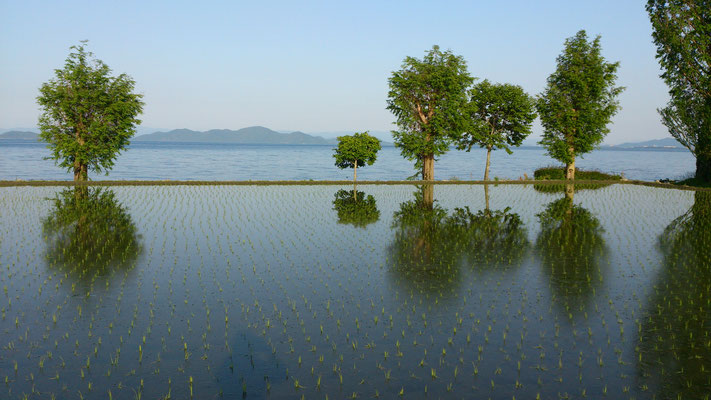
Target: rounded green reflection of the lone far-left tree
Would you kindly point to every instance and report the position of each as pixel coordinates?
(88, 233)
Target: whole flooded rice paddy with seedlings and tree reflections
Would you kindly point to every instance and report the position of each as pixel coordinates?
(458, 291)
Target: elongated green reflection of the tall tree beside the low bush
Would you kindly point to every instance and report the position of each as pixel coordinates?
(571, 248)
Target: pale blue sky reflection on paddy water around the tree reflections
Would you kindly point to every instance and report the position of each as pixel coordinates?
(295, 284)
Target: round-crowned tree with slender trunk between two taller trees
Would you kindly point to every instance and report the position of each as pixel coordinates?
(500, 116)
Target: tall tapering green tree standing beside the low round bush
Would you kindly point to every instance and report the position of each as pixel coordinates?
(578, 102)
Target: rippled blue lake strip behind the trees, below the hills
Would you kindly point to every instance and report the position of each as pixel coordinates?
(189, 161)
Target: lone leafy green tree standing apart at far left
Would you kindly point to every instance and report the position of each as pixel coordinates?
(88, 116)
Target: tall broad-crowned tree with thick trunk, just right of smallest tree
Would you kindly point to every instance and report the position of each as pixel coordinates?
(428, 97)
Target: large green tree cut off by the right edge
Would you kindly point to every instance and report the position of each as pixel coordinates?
(682, 34)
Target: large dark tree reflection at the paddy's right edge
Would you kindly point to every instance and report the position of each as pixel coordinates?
(675, 340)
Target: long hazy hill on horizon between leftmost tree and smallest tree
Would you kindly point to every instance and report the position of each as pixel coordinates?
(250, 135)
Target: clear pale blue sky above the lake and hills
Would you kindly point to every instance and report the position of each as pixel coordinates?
(314, 66)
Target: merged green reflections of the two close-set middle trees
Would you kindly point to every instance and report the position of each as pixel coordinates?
(431, 247)
